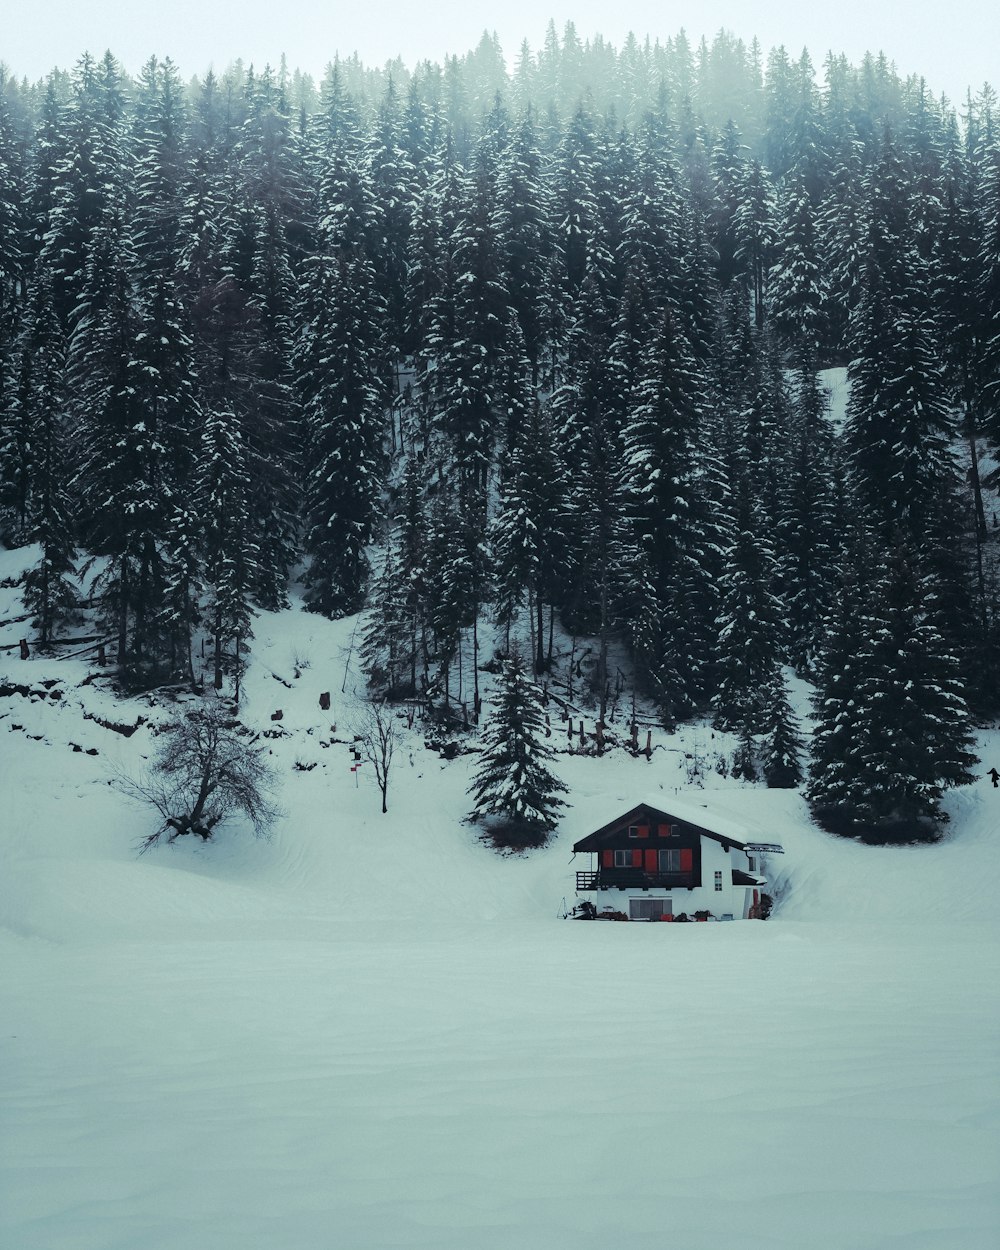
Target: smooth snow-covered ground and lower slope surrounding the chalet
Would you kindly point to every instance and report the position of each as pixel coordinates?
(373, 1032)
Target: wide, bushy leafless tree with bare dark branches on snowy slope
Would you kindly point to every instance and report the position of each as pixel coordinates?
(207, 769)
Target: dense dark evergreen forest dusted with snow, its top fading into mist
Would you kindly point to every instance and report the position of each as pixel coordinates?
(543, 347)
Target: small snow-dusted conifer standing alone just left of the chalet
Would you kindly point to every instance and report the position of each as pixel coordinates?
(514, 782)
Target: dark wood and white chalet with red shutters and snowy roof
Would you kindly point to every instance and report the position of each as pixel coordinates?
(657, 866)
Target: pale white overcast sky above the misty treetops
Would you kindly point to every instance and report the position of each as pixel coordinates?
(954, 46)
